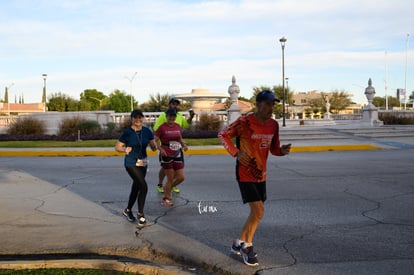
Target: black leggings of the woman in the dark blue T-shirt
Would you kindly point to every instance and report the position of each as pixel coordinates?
(139, 187)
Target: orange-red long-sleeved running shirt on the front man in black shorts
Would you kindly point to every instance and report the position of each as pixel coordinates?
(257, 140)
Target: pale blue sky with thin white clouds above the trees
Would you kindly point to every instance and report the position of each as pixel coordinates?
(175, 46)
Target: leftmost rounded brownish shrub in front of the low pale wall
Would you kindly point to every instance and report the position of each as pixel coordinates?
(26, 126)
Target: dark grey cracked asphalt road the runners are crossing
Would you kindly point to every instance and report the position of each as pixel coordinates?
(346, 212)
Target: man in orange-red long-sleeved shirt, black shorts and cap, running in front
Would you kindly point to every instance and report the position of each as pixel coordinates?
(256, 135)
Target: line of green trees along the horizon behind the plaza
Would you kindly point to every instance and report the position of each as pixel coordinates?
(120, 102)
